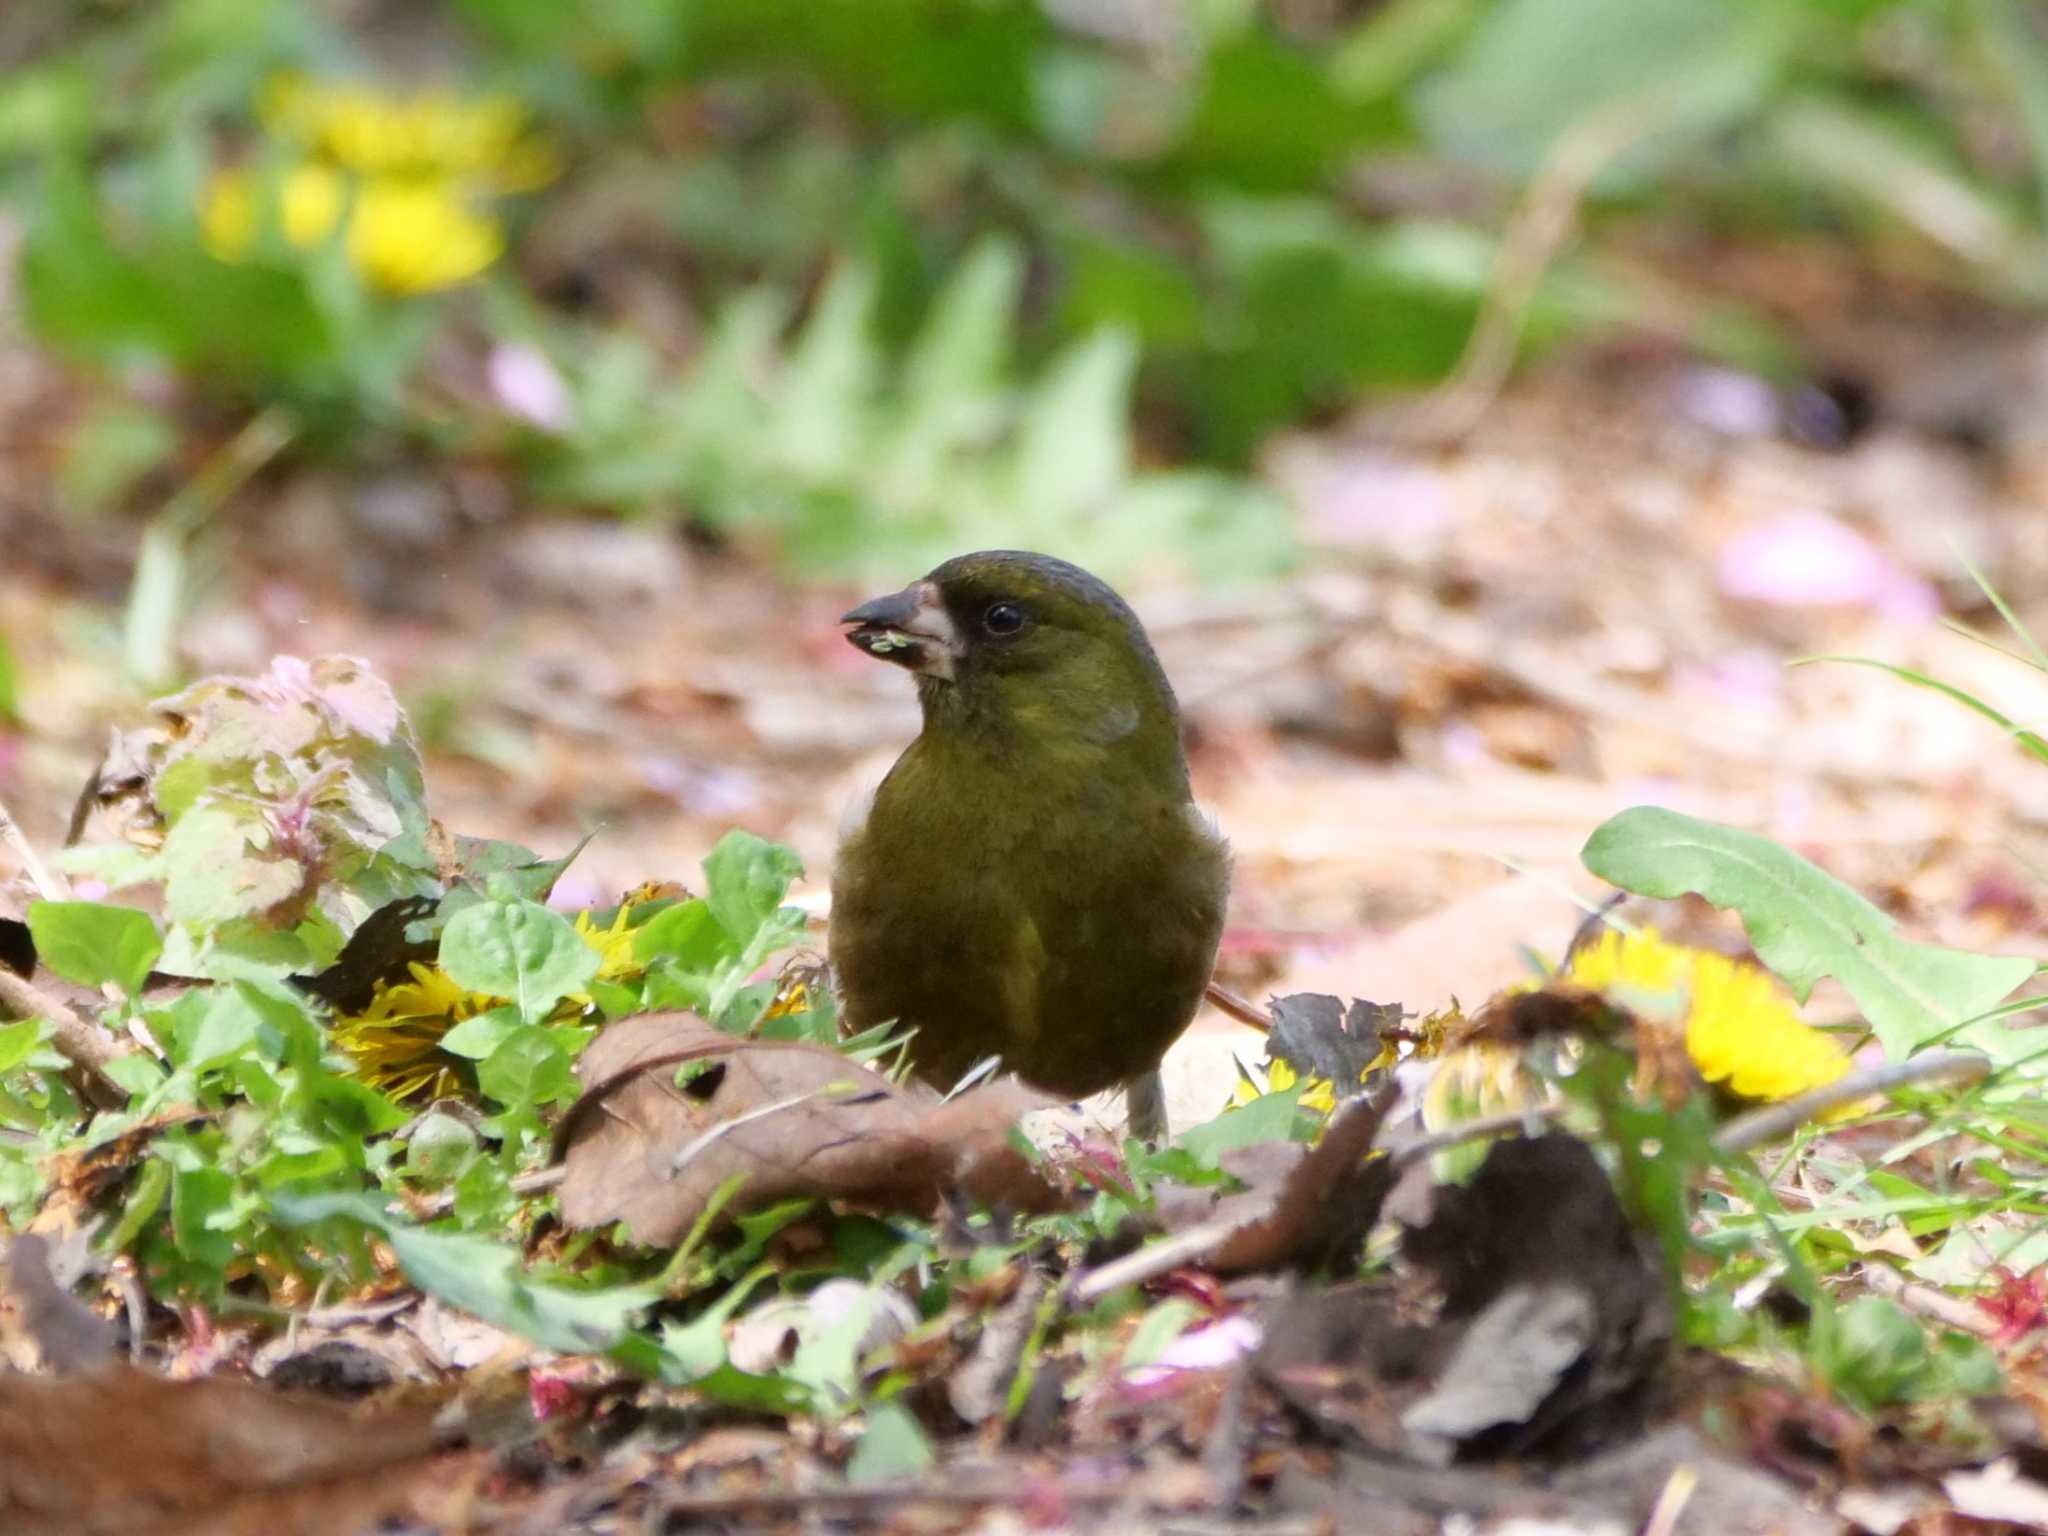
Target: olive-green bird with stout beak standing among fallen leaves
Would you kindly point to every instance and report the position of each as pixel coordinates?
(1033, 880)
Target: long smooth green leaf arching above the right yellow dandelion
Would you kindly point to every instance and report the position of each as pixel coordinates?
(1807, 925)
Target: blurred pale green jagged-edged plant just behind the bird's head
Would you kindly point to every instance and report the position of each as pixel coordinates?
(853, 464)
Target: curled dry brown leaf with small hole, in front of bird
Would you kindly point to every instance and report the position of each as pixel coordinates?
(673, 1109)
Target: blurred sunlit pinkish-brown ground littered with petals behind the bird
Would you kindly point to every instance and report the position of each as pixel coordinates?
(1592, 603)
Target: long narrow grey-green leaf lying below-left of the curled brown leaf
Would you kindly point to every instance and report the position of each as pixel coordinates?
(484, 1279)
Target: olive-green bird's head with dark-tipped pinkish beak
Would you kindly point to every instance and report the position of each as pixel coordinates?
(1023, 644)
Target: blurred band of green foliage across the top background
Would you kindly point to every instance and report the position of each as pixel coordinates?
(1211, 218)
